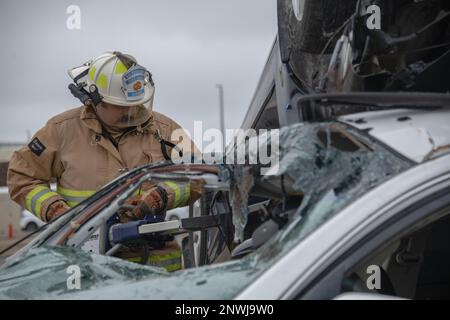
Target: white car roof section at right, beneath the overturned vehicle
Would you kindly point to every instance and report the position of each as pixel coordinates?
(417, 134)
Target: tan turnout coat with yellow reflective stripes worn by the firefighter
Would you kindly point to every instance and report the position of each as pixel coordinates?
(71, 149)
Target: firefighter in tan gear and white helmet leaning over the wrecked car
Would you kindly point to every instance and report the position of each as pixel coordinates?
(84, 148)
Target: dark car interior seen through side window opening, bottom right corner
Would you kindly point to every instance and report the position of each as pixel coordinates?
(414, 266)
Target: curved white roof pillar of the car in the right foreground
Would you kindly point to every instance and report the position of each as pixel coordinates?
(317, 252)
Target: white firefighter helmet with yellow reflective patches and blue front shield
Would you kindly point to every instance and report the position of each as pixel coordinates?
(118, 78)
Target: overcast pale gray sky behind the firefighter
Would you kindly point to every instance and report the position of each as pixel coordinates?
(189, 46)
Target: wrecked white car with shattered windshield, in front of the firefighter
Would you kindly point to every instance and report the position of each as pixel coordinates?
(358, 207)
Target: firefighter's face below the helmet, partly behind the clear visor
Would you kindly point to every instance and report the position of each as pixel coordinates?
(122, 117)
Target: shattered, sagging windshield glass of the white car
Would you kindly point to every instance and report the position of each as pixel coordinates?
(324, 167)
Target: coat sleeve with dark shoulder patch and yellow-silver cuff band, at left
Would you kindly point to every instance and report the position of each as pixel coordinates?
(31, 169)
